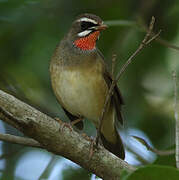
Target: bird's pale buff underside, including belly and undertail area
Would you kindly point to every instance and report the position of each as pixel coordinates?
(82, 93)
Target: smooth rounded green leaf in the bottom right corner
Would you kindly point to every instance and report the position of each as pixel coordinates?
(154, 172)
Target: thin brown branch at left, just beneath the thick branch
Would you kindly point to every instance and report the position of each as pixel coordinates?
(20, 140)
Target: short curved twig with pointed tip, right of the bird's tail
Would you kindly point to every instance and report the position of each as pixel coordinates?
(156, 151)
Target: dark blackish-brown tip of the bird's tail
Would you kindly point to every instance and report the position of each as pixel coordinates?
(116, 148)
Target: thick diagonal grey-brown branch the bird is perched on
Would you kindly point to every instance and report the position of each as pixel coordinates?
(66, 142)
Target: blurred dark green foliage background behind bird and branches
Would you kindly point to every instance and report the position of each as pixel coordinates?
(29, 33)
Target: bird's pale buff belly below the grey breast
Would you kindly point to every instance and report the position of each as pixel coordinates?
(82, 93)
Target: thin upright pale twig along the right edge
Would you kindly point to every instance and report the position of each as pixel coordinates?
(176, 118)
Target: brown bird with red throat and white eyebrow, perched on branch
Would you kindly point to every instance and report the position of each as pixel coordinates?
(81, 80)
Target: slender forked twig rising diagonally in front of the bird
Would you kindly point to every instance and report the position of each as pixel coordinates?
(147, 40)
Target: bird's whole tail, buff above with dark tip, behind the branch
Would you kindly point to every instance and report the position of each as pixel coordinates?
(110, 137)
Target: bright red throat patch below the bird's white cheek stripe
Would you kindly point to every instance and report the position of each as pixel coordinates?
(88, 42)
